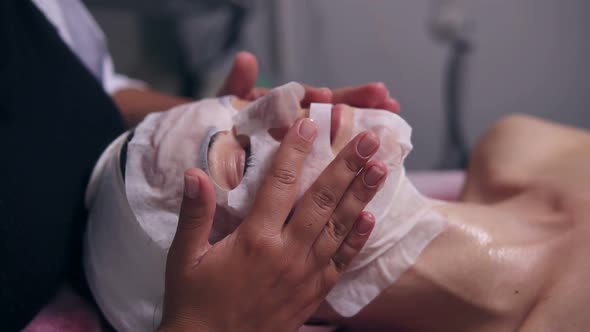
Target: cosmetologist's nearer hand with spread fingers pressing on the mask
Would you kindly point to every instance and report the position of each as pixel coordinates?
(270, 275)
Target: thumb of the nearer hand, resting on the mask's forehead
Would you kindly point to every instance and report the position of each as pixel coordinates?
(196, 215)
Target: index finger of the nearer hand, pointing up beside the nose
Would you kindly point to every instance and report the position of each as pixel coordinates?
(276, 194)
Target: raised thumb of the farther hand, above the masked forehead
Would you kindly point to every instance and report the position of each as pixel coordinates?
(242, 76)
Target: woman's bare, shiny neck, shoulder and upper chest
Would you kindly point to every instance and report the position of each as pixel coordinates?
(515, 254)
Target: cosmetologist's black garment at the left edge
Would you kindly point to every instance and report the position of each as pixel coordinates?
(55, 121)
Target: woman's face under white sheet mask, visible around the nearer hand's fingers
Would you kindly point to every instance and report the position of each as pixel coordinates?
(202, 134)
